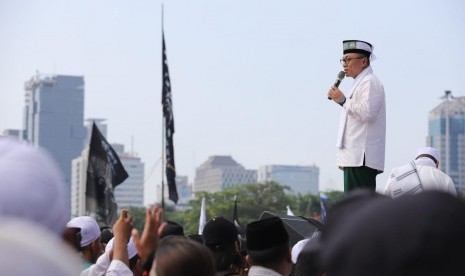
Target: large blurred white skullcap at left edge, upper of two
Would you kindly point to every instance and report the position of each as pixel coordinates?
(31, 185)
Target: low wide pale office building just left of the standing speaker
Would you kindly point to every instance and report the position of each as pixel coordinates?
(301, 179)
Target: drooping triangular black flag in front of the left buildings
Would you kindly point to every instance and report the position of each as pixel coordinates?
(104, 173)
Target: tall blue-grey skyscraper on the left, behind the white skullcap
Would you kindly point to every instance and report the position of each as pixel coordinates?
(53, 118)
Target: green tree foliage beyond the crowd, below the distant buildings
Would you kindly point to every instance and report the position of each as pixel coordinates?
(252, 200)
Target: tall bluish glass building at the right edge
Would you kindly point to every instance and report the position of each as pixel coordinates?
(446, 133)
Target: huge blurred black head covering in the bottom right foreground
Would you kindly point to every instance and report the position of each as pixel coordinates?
(420, 234)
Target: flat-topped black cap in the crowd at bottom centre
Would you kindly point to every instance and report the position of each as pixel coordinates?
(265, 234)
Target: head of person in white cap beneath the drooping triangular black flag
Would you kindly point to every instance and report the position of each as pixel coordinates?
(89, 234)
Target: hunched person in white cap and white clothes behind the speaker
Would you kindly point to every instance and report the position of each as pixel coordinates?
(419, 175)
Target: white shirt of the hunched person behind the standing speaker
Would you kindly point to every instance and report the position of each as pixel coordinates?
(431, 178)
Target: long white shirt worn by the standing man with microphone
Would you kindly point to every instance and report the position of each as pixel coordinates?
(363, 124)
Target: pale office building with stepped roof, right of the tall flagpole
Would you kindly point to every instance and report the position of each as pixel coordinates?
(220, 172)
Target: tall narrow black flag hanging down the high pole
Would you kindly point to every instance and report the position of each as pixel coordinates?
(169, 128)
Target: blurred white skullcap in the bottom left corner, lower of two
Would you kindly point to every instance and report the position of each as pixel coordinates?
(28, 248)
